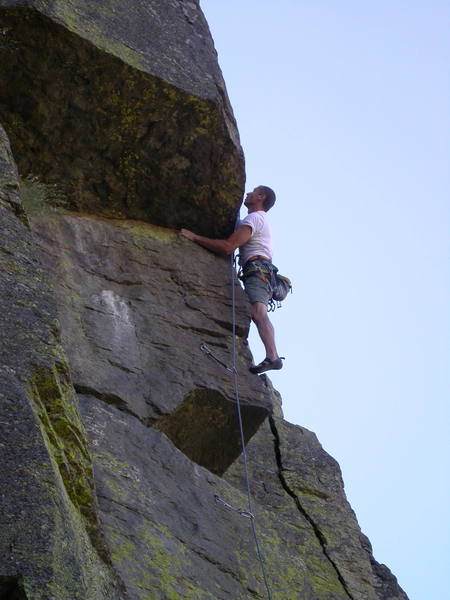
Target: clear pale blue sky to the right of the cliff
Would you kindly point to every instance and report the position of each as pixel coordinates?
(341, 108)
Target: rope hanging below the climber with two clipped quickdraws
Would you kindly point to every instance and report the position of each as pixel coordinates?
(233, 370)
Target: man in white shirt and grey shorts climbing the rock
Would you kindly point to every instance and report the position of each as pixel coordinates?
(254, 239)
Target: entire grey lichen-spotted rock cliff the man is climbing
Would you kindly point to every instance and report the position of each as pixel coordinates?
(117, 433)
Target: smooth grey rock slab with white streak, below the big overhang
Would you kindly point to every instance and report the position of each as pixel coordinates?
(137, 302)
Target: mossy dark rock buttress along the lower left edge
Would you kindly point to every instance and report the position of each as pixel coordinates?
(51, 544)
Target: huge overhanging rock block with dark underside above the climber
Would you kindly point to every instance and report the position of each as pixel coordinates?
(128, 125)
